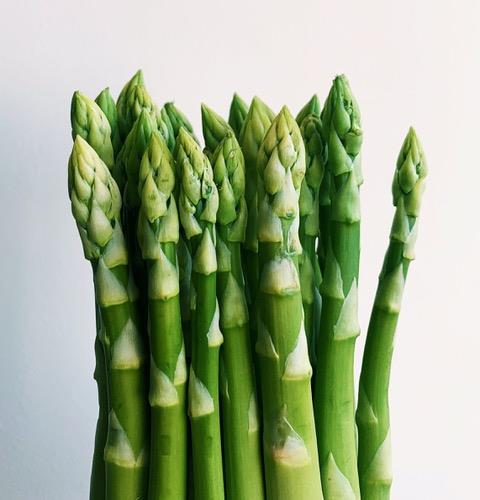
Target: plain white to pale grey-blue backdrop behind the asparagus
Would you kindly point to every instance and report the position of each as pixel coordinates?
(410, 62)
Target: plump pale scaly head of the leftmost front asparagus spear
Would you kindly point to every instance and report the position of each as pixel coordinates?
(95, 199)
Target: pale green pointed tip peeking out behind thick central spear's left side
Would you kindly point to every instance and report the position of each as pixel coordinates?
(258, 120)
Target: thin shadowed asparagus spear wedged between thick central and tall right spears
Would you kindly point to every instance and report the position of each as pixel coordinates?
(310, 274)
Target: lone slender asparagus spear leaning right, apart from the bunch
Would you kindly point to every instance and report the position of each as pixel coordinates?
(374, 460)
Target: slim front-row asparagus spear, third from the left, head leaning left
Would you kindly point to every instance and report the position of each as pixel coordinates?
(198, 204)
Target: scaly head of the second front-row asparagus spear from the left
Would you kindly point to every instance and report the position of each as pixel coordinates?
(158, 219)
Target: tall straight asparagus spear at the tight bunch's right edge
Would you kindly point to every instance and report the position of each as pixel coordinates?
(334, 386)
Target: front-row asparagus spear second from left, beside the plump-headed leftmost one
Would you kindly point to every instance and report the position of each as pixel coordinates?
(158, 230)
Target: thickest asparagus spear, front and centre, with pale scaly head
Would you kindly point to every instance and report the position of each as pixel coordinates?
(290, 452)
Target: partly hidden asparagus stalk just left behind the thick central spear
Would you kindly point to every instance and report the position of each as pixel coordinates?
(257, 122)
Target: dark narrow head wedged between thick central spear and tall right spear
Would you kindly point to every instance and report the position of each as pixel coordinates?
(315, 160)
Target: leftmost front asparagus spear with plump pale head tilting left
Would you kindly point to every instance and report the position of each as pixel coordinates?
(96, 204)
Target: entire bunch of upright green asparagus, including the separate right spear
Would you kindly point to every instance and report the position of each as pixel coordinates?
(226, 283)
